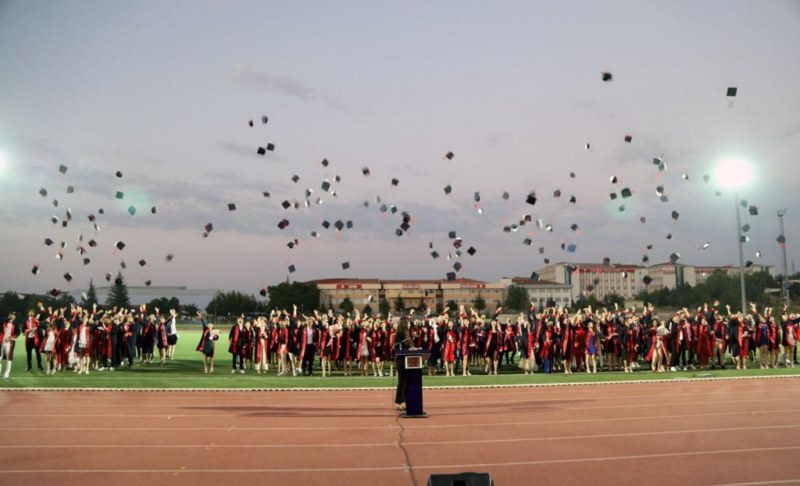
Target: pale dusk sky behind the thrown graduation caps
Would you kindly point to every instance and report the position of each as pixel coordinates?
(163, 92)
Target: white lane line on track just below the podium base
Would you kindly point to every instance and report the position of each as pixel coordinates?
(393, 427)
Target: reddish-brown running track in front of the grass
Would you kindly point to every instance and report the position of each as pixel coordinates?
(684, 433)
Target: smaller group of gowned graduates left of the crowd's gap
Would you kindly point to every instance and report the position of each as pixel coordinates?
(85, 339)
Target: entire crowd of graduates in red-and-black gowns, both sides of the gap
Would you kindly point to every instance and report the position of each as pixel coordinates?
(543, 340)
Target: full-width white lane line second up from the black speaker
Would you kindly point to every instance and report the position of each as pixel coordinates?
(394, 443)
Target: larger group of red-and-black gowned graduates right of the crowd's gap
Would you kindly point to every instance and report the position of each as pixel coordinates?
(550, 340)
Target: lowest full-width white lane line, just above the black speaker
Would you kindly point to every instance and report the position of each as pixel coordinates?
(472, 466)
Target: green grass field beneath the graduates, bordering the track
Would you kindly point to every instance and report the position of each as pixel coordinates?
(186, 371)
